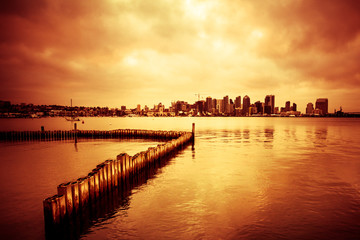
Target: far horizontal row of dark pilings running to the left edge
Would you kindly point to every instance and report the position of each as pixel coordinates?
(53, 135)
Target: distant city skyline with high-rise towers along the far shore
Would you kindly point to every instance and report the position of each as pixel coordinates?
(211, 107)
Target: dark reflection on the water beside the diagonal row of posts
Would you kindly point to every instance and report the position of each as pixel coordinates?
(116, 202)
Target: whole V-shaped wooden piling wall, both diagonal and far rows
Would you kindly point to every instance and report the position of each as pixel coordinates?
(121, 173)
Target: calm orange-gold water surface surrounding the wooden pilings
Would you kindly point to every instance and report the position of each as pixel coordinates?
(245, 178)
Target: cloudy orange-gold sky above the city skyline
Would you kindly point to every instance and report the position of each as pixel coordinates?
(128, 52)
